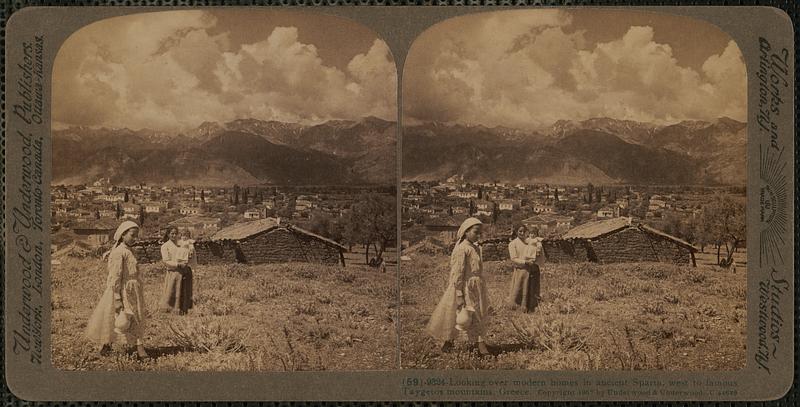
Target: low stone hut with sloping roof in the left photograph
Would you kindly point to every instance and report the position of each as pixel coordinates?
(268, 241)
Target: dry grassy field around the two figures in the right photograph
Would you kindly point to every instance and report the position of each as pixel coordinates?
(639, 316)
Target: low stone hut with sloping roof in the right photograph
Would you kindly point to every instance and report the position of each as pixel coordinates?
(617, 240)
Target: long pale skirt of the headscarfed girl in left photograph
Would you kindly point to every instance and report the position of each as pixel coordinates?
(100, 327)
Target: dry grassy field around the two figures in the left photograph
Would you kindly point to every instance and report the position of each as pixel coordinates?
(246, 318)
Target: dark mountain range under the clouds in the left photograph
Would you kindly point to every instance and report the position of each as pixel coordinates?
(245, 152)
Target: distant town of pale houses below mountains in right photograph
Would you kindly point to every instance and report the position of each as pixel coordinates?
(434, 207)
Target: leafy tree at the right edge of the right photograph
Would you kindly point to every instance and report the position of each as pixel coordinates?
(725, 222)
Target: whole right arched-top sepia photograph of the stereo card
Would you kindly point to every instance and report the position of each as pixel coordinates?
(573, 193)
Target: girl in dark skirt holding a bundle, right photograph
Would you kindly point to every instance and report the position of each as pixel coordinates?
(525, 288)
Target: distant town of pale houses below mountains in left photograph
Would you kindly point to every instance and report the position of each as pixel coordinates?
(90, 213)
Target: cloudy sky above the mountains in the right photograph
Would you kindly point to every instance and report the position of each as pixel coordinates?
(530, 68)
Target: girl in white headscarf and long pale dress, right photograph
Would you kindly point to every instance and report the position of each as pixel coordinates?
(465, 295)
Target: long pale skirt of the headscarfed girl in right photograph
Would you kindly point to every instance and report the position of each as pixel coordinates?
(442, 324)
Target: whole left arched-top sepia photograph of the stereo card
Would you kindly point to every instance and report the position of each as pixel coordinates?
(224, 194)
